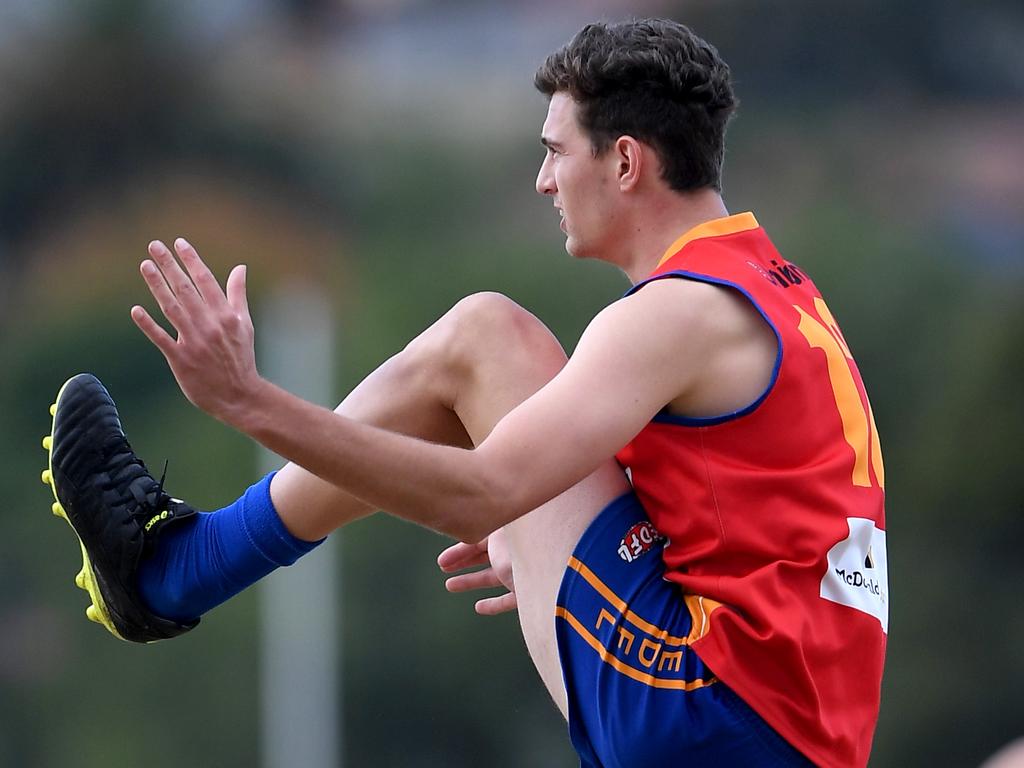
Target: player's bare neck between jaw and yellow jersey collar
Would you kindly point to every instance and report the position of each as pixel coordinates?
(662, 223)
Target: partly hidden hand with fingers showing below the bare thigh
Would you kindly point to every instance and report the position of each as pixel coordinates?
(492, 552)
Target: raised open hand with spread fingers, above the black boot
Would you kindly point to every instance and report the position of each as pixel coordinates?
(212, 357)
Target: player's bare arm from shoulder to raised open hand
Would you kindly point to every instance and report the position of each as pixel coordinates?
(638, 355)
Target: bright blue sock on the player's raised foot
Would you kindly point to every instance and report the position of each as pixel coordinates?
(201, 563)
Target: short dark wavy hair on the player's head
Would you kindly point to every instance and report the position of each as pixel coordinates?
(657, 81)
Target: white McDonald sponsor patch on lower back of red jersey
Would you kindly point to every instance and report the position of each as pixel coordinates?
(859, 575)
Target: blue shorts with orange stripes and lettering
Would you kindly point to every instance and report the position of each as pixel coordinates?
(638, 695)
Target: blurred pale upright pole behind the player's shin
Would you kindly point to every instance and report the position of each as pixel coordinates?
(301, 672)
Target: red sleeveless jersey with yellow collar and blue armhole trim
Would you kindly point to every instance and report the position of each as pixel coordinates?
(775, 515)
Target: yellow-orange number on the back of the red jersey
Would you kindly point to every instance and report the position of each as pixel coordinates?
(859, 424)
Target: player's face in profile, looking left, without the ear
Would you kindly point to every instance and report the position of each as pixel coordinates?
(582, 186)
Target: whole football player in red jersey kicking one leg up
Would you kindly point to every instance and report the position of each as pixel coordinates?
(726, 601)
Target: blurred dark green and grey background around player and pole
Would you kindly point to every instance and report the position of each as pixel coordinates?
(388, 150)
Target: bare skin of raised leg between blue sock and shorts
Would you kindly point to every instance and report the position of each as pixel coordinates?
(453, 385)
